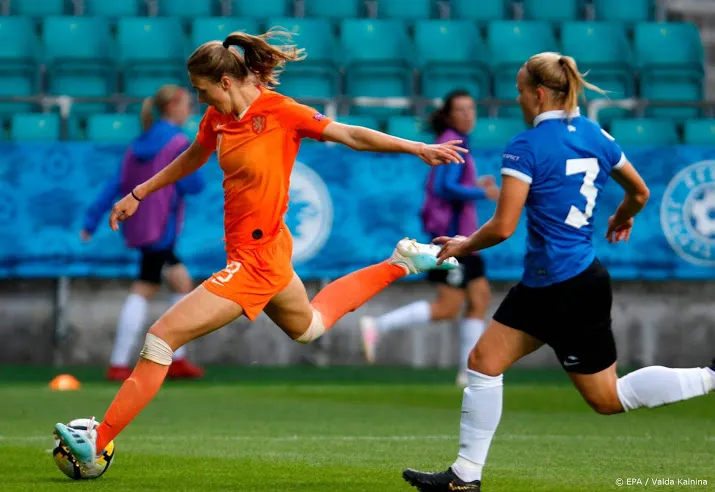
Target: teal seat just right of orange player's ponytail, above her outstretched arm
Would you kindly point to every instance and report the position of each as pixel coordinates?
(376, 54)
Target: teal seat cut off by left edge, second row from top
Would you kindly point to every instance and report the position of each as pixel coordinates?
(18, 62)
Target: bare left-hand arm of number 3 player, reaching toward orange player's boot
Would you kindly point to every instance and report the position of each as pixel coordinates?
(497, 229)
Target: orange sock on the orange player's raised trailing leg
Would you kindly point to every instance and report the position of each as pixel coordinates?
(350, 292)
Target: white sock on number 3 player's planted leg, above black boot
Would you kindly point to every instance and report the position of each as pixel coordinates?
(481, 413)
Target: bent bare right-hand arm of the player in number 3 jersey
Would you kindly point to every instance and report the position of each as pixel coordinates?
(637, 193)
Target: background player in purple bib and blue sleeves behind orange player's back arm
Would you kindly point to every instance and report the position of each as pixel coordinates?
(155, 229)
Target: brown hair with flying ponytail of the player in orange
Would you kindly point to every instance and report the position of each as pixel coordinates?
(215, 59)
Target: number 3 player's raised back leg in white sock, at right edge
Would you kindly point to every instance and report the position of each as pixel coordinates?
(648, 387)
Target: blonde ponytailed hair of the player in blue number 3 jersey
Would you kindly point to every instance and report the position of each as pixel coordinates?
(559, 74)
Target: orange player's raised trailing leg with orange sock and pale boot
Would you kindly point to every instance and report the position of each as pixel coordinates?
(306, 321)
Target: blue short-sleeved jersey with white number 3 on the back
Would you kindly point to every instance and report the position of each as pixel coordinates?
(566, 164)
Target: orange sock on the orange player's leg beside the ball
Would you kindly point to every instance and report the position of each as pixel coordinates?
(133, 396)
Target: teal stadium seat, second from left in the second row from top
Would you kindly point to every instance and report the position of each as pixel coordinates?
(78, 53)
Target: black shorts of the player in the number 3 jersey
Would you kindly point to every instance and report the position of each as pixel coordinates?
(573, 317)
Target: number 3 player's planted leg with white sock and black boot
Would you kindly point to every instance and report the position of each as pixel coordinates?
(497, 349)
